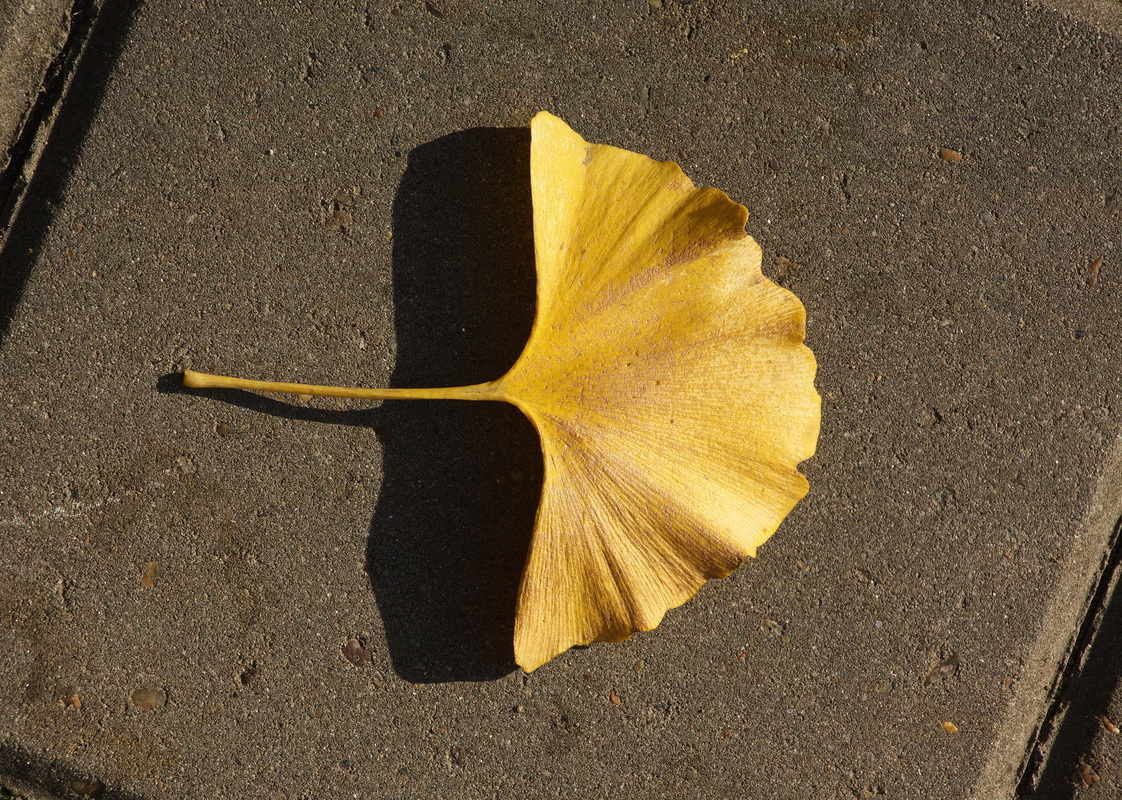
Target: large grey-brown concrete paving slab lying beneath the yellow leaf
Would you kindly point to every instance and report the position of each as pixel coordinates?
(220, 595)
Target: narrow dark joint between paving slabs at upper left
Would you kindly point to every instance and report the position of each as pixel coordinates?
(25, 153)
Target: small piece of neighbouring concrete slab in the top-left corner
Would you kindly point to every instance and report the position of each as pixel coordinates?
(32, 35)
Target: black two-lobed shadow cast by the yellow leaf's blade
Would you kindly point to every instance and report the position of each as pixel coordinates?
(462, 484)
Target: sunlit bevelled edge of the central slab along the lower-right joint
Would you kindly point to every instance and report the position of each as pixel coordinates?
(1023, 742)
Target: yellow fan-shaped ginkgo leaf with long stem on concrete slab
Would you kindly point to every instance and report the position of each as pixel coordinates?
(668, 381)
